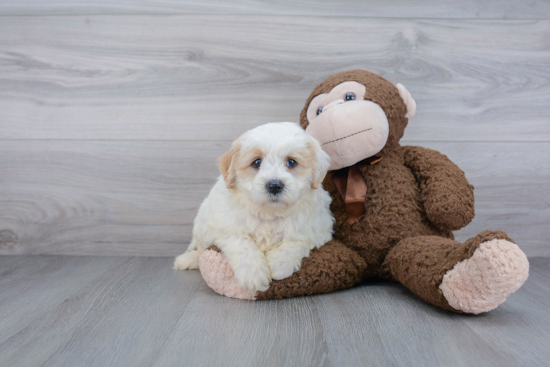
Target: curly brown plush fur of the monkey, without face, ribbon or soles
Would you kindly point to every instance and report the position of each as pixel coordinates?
(415, 198)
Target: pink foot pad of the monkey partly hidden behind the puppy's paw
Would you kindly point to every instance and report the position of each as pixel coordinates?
(219, 276)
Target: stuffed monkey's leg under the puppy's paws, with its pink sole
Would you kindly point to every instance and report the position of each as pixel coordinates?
(327, 269)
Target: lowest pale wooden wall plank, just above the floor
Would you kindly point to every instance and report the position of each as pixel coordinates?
(140, 197)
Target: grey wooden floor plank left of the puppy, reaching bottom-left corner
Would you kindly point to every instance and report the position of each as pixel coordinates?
(96, 323)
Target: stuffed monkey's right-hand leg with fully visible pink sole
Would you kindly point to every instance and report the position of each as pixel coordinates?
(471, 277)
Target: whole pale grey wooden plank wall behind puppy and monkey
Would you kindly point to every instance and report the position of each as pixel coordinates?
(112, 113)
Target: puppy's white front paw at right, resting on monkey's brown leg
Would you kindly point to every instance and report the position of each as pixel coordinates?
(287, 258)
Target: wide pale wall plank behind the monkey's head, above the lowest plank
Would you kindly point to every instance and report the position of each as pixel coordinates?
(210, 77)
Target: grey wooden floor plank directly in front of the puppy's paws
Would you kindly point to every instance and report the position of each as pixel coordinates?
(271, 341)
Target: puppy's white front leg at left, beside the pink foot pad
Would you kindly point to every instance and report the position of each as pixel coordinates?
(248, 263)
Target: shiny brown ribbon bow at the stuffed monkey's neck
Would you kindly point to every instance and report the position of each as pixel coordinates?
(353, 188)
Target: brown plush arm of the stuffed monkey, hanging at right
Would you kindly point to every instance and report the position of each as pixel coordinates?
(448, 197)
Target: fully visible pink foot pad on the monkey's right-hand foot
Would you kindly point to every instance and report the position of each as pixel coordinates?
(479, 284)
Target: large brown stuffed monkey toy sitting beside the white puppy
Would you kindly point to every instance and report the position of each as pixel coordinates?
(395, 209)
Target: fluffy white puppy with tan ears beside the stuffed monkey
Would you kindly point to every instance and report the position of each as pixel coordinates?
(267, 210)
